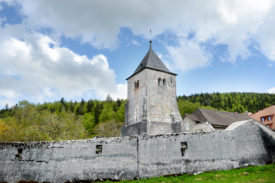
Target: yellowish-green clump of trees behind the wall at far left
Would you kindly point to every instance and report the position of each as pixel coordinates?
(30, 124)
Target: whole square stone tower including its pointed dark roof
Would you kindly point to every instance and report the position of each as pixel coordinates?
(152, 105)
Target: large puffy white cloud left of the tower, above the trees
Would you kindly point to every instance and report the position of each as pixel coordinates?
(37, 68)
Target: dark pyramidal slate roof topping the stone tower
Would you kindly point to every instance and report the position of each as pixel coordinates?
(151, 61)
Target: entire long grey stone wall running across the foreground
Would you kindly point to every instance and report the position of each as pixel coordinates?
(242, 144)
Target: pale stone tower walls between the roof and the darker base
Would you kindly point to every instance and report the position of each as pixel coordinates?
(150, 101)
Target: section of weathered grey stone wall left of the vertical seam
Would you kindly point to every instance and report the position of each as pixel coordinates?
(69, 160)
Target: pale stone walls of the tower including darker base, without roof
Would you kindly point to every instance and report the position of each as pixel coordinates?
(152, 103)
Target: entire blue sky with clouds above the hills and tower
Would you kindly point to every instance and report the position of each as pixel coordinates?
(85, 49)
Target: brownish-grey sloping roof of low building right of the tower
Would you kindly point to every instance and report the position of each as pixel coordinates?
(220, 118)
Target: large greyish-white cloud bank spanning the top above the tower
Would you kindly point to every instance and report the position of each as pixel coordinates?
(232, 23)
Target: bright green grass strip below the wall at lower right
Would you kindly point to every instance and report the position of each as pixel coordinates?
(250, 174)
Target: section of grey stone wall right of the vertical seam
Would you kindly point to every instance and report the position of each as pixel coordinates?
(162, 155)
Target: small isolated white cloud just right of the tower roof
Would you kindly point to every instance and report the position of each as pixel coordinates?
(189, 55)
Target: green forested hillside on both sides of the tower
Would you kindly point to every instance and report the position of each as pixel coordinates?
(65, 120)
